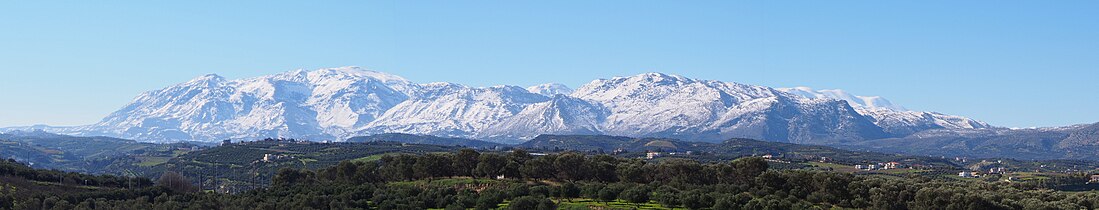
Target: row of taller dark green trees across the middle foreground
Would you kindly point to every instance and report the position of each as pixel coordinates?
(521, 165)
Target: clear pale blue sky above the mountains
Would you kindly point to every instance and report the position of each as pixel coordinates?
(1008, 63)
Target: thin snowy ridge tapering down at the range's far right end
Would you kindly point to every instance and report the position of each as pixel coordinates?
(894, 119)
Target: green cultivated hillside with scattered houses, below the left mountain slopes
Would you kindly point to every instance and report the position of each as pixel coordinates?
(248, 165)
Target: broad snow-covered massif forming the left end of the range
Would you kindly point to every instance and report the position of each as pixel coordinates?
(317, 105)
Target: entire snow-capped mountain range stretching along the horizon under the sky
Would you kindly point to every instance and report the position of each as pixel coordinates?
(337, 104)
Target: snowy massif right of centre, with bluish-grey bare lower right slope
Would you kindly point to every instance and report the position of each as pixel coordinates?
(668, 106)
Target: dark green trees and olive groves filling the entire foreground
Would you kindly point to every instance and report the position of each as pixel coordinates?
(550, 182)
